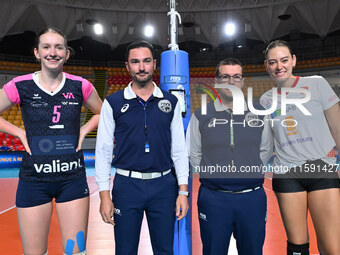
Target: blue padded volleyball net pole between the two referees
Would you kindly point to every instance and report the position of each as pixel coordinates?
(174, 77)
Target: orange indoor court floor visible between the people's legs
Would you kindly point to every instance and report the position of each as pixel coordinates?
(100, 235)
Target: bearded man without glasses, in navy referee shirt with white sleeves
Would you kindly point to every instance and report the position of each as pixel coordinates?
(146, 124)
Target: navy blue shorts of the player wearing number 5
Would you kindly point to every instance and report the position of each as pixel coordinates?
(31, 194)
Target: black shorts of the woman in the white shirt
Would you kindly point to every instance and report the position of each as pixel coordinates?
(313, 175)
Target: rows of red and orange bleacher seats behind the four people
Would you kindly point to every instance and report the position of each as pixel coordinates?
(118, 78)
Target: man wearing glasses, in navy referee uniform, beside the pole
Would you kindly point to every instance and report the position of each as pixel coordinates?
(226, 150)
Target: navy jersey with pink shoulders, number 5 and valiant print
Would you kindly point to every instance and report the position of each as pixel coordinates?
(52, 124)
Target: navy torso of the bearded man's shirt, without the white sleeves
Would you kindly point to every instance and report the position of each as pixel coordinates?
(130, 134)
